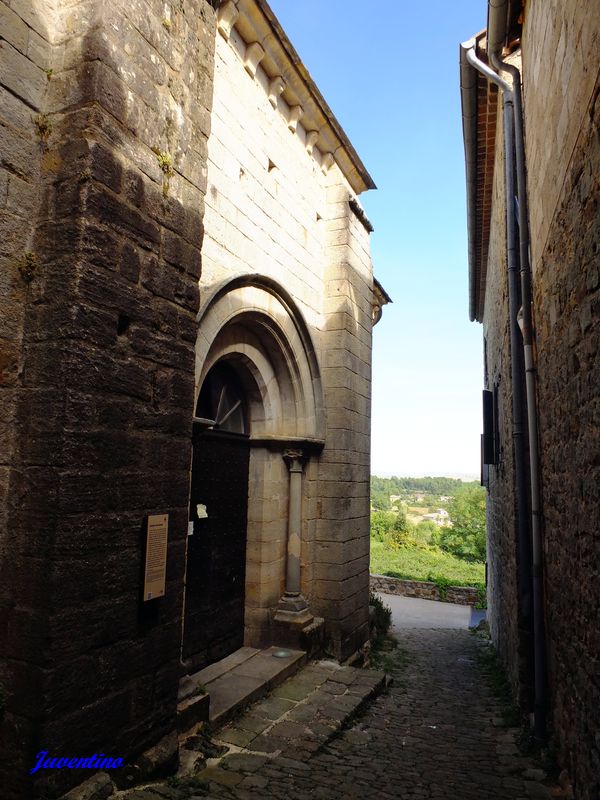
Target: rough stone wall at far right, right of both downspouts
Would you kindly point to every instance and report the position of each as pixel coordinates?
(560, 50)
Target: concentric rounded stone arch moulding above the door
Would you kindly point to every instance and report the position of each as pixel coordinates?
(253, 321)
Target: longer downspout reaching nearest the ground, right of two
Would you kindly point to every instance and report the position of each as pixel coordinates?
(497, 30)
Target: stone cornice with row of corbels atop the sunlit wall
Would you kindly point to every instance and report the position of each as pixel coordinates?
(268, 46)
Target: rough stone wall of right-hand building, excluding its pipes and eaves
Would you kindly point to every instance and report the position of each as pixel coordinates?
(561, 86)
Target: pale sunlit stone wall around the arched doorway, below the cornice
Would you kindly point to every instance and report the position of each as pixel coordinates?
(274, 209)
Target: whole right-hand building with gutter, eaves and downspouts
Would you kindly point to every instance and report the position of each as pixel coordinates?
(534, 228)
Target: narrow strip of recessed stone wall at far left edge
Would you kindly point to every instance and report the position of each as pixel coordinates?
(26, 58)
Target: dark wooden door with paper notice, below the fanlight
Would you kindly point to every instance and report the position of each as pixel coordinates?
(216, 561)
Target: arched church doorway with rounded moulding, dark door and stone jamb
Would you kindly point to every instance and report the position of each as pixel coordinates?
(259, 394)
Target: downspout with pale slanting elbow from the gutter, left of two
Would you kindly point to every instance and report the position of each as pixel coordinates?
(516, 359)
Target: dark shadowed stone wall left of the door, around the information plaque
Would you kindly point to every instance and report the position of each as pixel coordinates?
(102, 186)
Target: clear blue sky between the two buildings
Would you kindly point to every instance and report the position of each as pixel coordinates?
(389, 71)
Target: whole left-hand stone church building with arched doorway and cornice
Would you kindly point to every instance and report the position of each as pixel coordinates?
(187, 302)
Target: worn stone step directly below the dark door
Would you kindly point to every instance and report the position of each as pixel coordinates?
(217, 692)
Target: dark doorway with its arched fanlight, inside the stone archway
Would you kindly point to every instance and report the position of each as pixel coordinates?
(216, 558)
